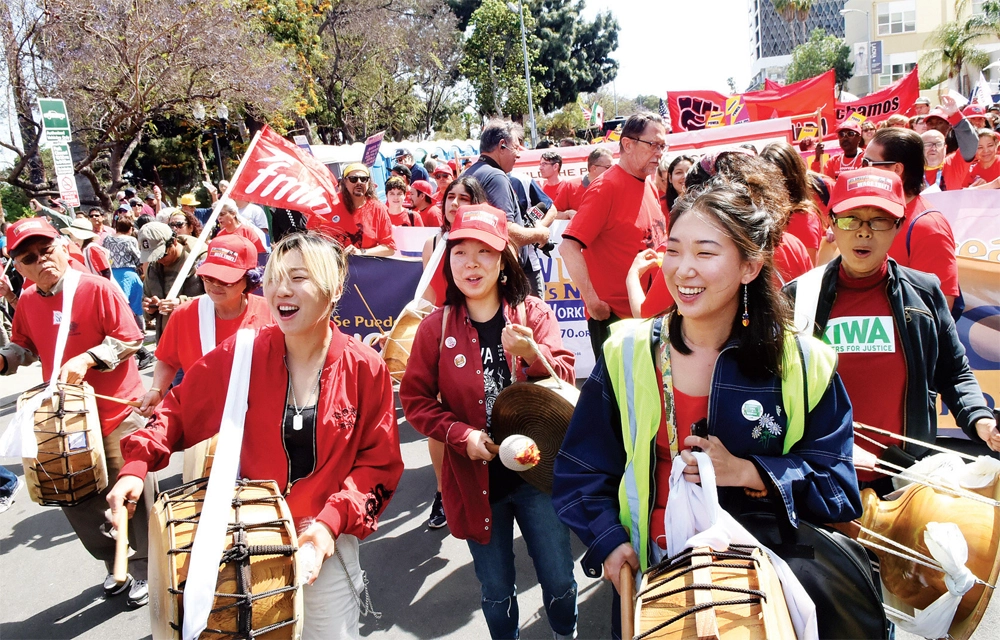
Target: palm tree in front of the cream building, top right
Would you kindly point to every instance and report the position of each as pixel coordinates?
(953, 46)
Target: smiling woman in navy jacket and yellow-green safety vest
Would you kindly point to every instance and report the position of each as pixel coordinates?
(723, 355)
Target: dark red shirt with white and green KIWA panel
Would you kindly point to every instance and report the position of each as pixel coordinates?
(863, 332)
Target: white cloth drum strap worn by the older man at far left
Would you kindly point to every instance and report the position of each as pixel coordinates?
(19, 439)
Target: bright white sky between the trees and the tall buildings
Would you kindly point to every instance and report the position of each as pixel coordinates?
(678, 44)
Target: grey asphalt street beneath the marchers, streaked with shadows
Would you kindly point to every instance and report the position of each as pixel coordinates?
(421, 581)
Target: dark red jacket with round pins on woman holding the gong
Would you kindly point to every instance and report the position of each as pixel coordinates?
(453, 368)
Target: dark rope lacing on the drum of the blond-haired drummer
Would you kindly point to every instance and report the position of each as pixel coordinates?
(240, 554)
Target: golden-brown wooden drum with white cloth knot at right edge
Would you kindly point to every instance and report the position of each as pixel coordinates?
(900, 523)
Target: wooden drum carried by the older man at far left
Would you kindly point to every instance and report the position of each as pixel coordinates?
(70, 466)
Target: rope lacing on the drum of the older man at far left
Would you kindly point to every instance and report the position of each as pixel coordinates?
(49, 494)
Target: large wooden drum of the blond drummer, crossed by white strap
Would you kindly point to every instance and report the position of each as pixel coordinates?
(258, 565)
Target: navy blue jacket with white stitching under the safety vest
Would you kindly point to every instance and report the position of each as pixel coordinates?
(816, 480)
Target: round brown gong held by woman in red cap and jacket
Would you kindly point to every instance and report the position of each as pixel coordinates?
(540, 410)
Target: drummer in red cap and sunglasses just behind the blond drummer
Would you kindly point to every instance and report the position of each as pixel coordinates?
(230, 273)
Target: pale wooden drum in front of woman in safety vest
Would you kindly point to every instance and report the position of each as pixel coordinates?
(741, 582)
